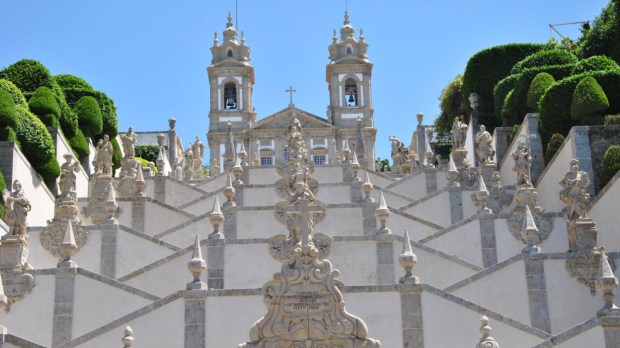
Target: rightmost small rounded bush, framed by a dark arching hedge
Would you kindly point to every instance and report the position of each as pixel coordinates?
(589, 99)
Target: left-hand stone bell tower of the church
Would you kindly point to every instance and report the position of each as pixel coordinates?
(231, 81)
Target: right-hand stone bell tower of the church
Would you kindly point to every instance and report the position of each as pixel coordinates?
(348, 77)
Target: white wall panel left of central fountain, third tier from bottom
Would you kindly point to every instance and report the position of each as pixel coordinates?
(248, 226)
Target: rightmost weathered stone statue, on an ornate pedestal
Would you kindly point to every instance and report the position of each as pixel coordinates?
(573, 193)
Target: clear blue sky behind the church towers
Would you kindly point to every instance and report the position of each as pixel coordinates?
(151, 56)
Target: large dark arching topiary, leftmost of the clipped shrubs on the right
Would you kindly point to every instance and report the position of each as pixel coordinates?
(487, 67)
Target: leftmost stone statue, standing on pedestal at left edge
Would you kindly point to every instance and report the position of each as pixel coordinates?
(16, 208)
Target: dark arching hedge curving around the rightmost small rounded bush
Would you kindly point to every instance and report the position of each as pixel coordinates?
(556, 102)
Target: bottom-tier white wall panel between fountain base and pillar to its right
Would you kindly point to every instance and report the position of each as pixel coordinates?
(381, 313)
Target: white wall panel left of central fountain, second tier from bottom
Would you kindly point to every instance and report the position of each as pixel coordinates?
(248, 266)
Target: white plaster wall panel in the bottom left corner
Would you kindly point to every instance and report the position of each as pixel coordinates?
(32, 317)
